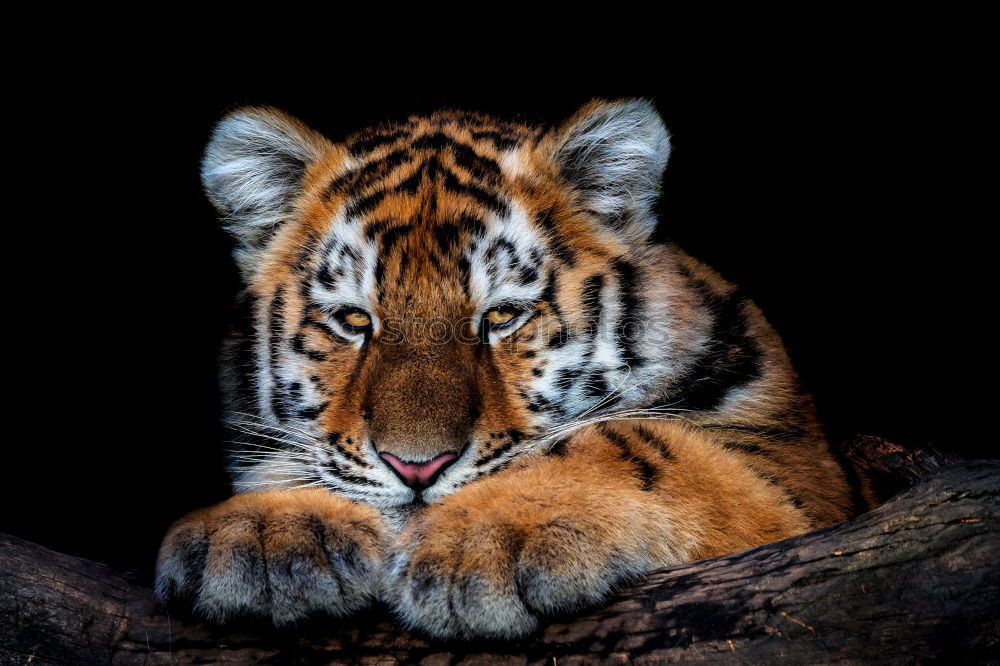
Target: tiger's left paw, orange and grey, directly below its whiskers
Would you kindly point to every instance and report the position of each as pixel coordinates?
(282, 555)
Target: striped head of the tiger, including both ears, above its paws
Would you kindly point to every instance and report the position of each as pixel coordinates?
(427, 301)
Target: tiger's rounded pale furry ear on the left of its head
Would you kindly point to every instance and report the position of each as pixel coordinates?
(253, 168)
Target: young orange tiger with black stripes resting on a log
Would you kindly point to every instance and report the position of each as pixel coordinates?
(469, 383)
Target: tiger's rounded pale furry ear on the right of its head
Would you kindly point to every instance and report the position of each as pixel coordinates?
(613, 154)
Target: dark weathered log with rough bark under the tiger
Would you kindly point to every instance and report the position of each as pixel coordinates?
(913, 580)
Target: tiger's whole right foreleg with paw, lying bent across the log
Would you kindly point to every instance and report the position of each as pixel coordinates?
(562, 531)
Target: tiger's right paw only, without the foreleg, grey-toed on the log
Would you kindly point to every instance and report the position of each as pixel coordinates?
(495, 576)
